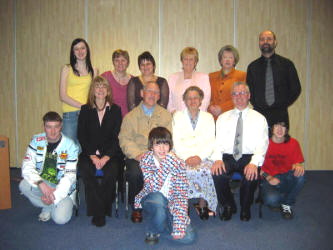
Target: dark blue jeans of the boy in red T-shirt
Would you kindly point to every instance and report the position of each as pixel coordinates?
(285, 192)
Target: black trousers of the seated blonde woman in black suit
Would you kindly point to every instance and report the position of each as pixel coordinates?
(99, 196)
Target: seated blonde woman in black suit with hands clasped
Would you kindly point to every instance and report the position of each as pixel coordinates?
(98, 129)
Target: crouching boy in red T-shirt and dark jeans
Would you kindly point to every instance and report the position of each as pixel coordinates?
(282, 171)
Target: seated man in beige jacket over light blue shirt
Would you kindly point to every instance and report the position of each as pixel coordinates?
(133, 137)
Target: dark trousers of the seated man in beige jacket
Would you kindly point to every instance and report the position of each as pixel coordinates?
(134, 177)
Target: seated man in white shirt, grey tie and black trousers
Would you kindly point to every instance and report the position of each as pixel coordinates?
(241, 144)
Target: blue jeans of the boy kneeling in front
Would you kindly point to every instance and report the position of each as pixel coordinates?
(159, 219)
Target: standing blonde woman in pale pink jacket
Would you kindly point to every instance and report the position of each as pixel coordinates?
(180, 81)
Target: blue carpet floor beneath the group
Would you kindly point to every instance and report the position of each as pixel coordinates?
(310, 228)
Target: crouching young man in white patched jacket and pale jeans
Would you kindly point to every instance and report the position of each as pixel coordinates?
(49, 171)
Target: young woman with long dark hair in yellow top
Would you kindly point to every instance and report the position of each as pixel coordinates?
(75, 80)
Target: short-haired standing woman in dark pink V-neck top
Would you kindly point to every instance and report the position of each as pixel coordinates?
(119, 78)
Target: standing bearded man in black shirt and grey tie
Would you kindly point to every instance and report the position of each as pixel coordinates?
(273, 81)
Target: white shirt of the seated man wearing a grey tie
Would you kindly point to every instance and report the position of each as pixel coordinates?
(255, 135)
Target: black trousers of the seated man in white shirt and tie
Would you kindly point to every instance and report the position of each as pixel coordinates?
(247, 188)
